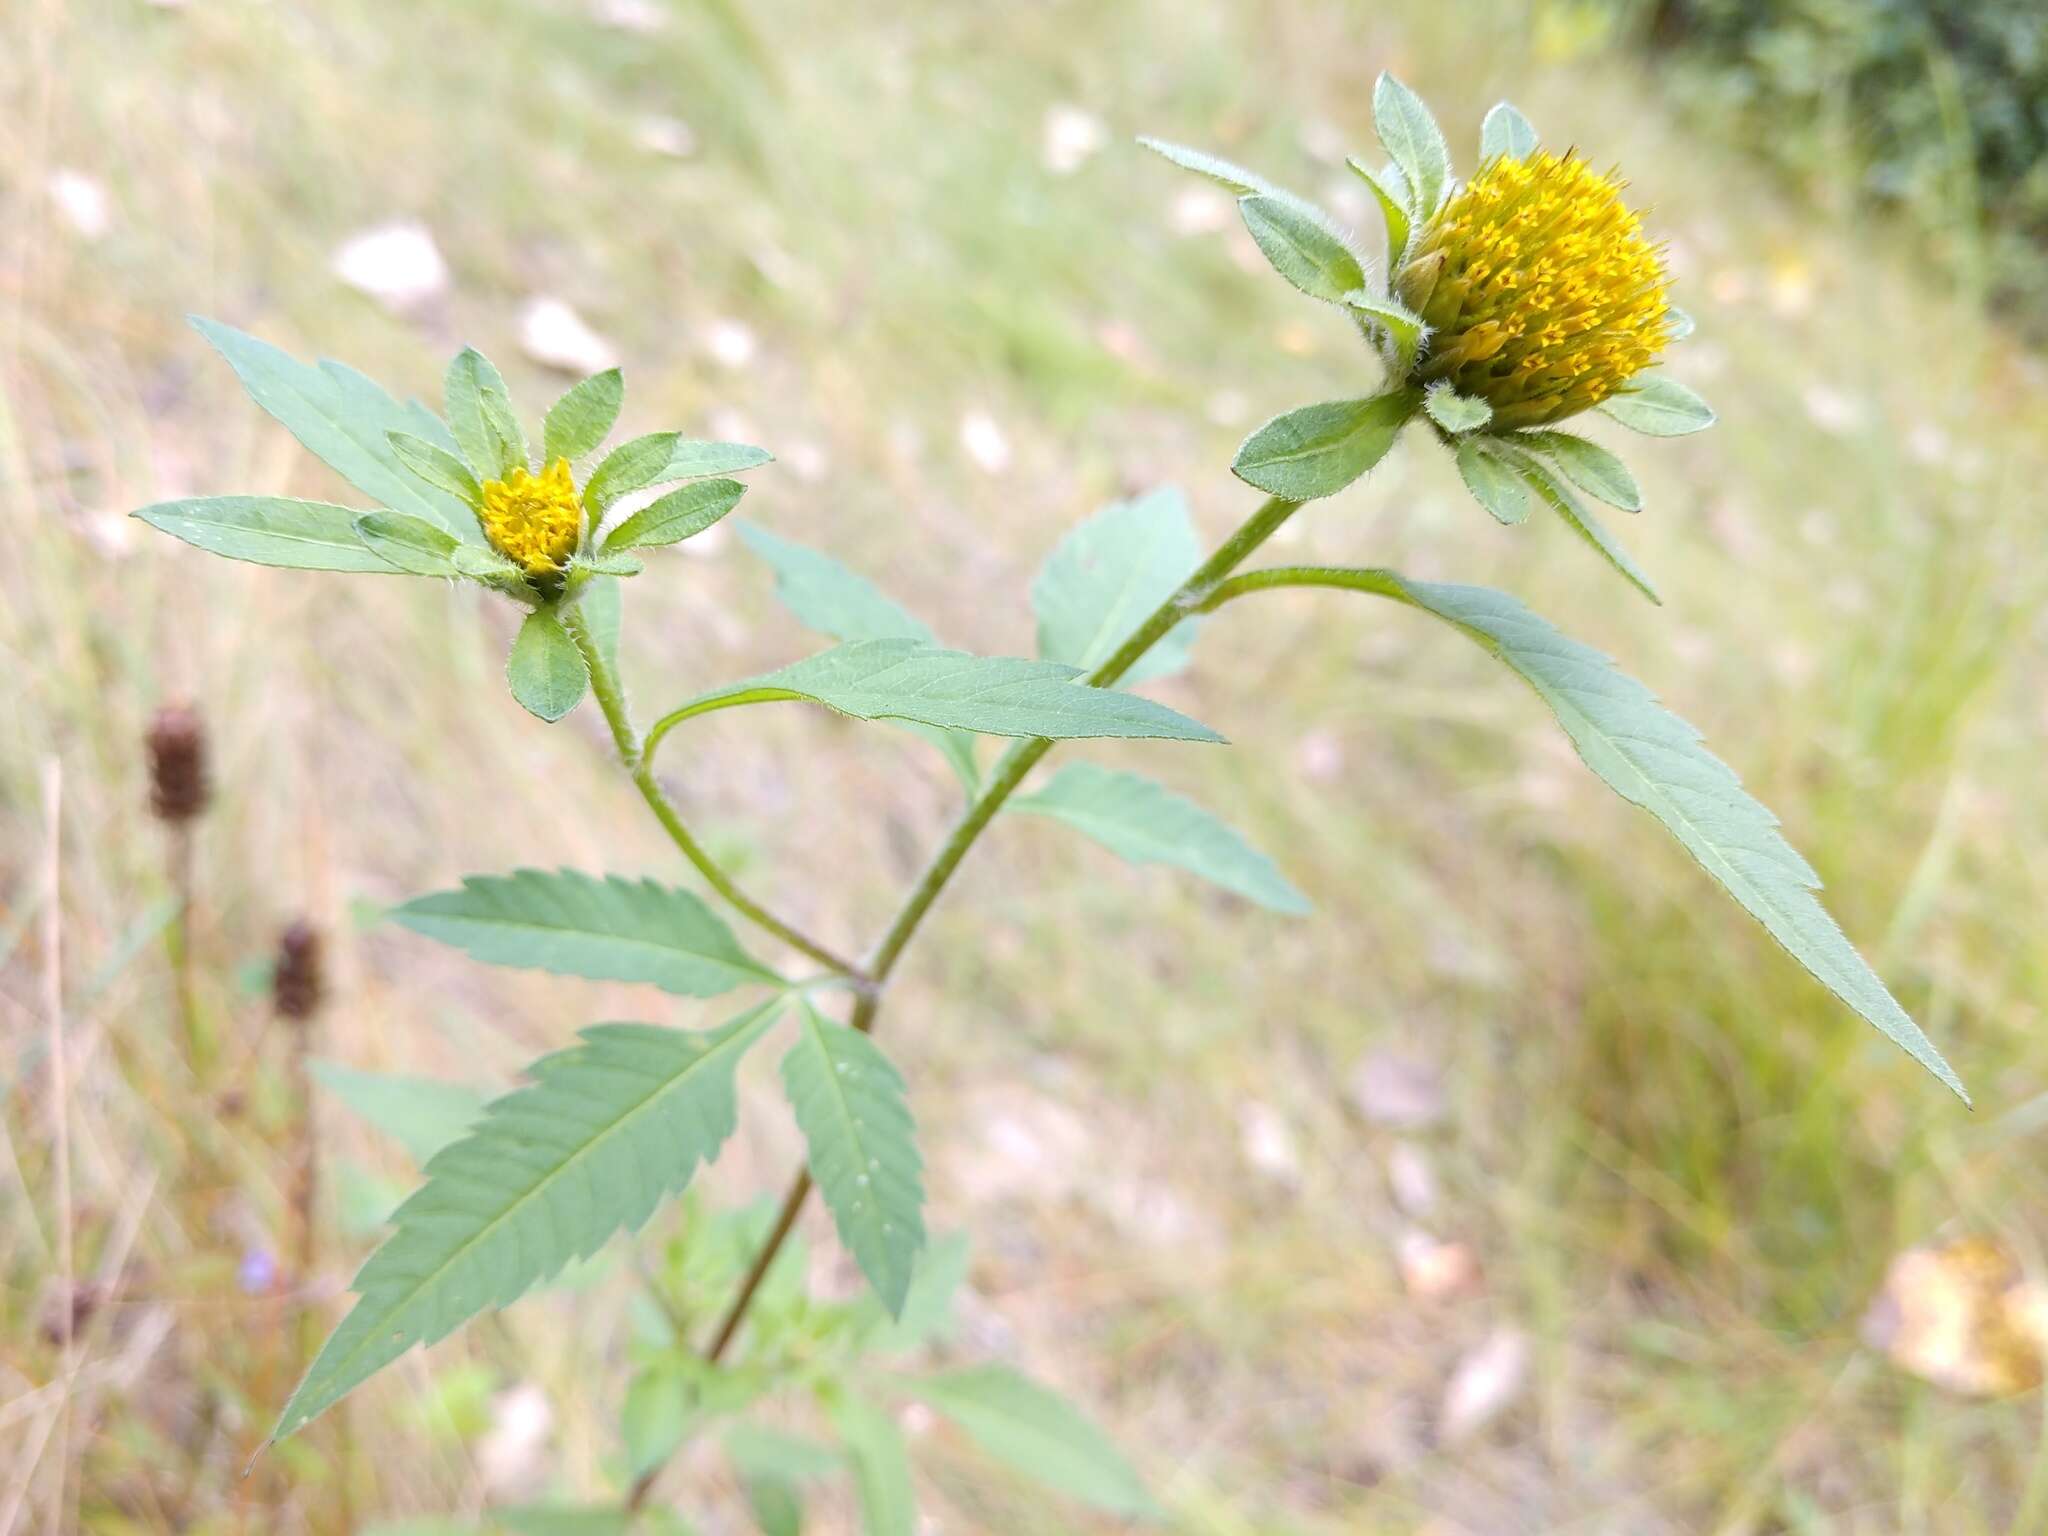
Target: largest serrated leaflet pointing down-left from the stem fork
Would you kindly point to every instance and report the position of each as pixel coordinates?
(607, 1129)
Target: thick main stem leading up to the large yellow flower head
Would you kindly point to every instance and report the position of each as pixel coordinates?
(1193, 595)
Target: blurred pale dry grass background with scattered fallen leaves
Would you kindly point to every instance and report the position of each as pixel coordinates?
(1678, 1166)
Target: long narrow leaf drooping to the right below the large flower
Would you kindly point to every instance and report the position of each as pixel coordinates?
(1654, 759)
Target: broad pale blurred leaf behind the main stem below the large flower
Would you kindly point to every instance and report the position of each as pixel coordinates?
(1107, 579)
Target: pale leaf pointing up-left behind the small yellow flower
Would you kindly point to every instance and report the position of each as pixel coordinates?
(345, 421)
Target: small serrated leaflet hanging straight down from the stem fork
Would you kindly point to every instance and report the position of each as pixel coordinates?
(863, 1148)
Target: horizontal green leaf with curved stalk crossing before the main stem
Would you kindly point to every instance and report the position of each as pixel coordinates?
(994, 695)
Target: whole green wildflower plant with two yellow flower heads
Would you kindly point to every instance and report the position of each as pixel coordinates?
(1498, 312)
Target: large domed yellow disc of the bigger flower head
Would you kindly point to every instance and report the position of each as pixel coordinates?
(1541, 292)
